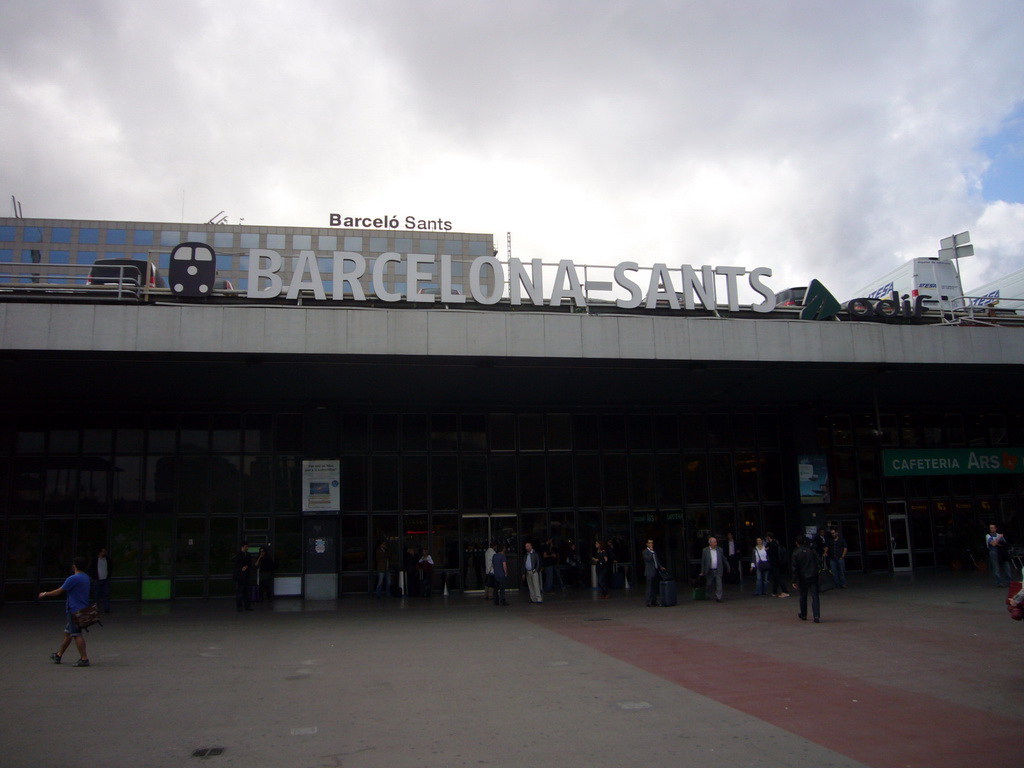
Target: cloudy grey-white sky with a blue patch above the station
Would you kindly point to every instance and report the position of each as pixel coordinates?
(823, 140)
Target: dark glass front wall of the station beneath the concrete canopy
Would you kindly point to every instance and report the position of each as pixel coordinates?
(173, 494)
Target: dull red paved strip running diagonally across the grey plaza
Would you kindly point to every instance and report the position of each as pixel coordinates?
(878, 726)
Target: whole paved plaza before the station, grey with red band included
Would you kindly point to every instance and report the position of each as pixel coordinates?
(904, 672)
